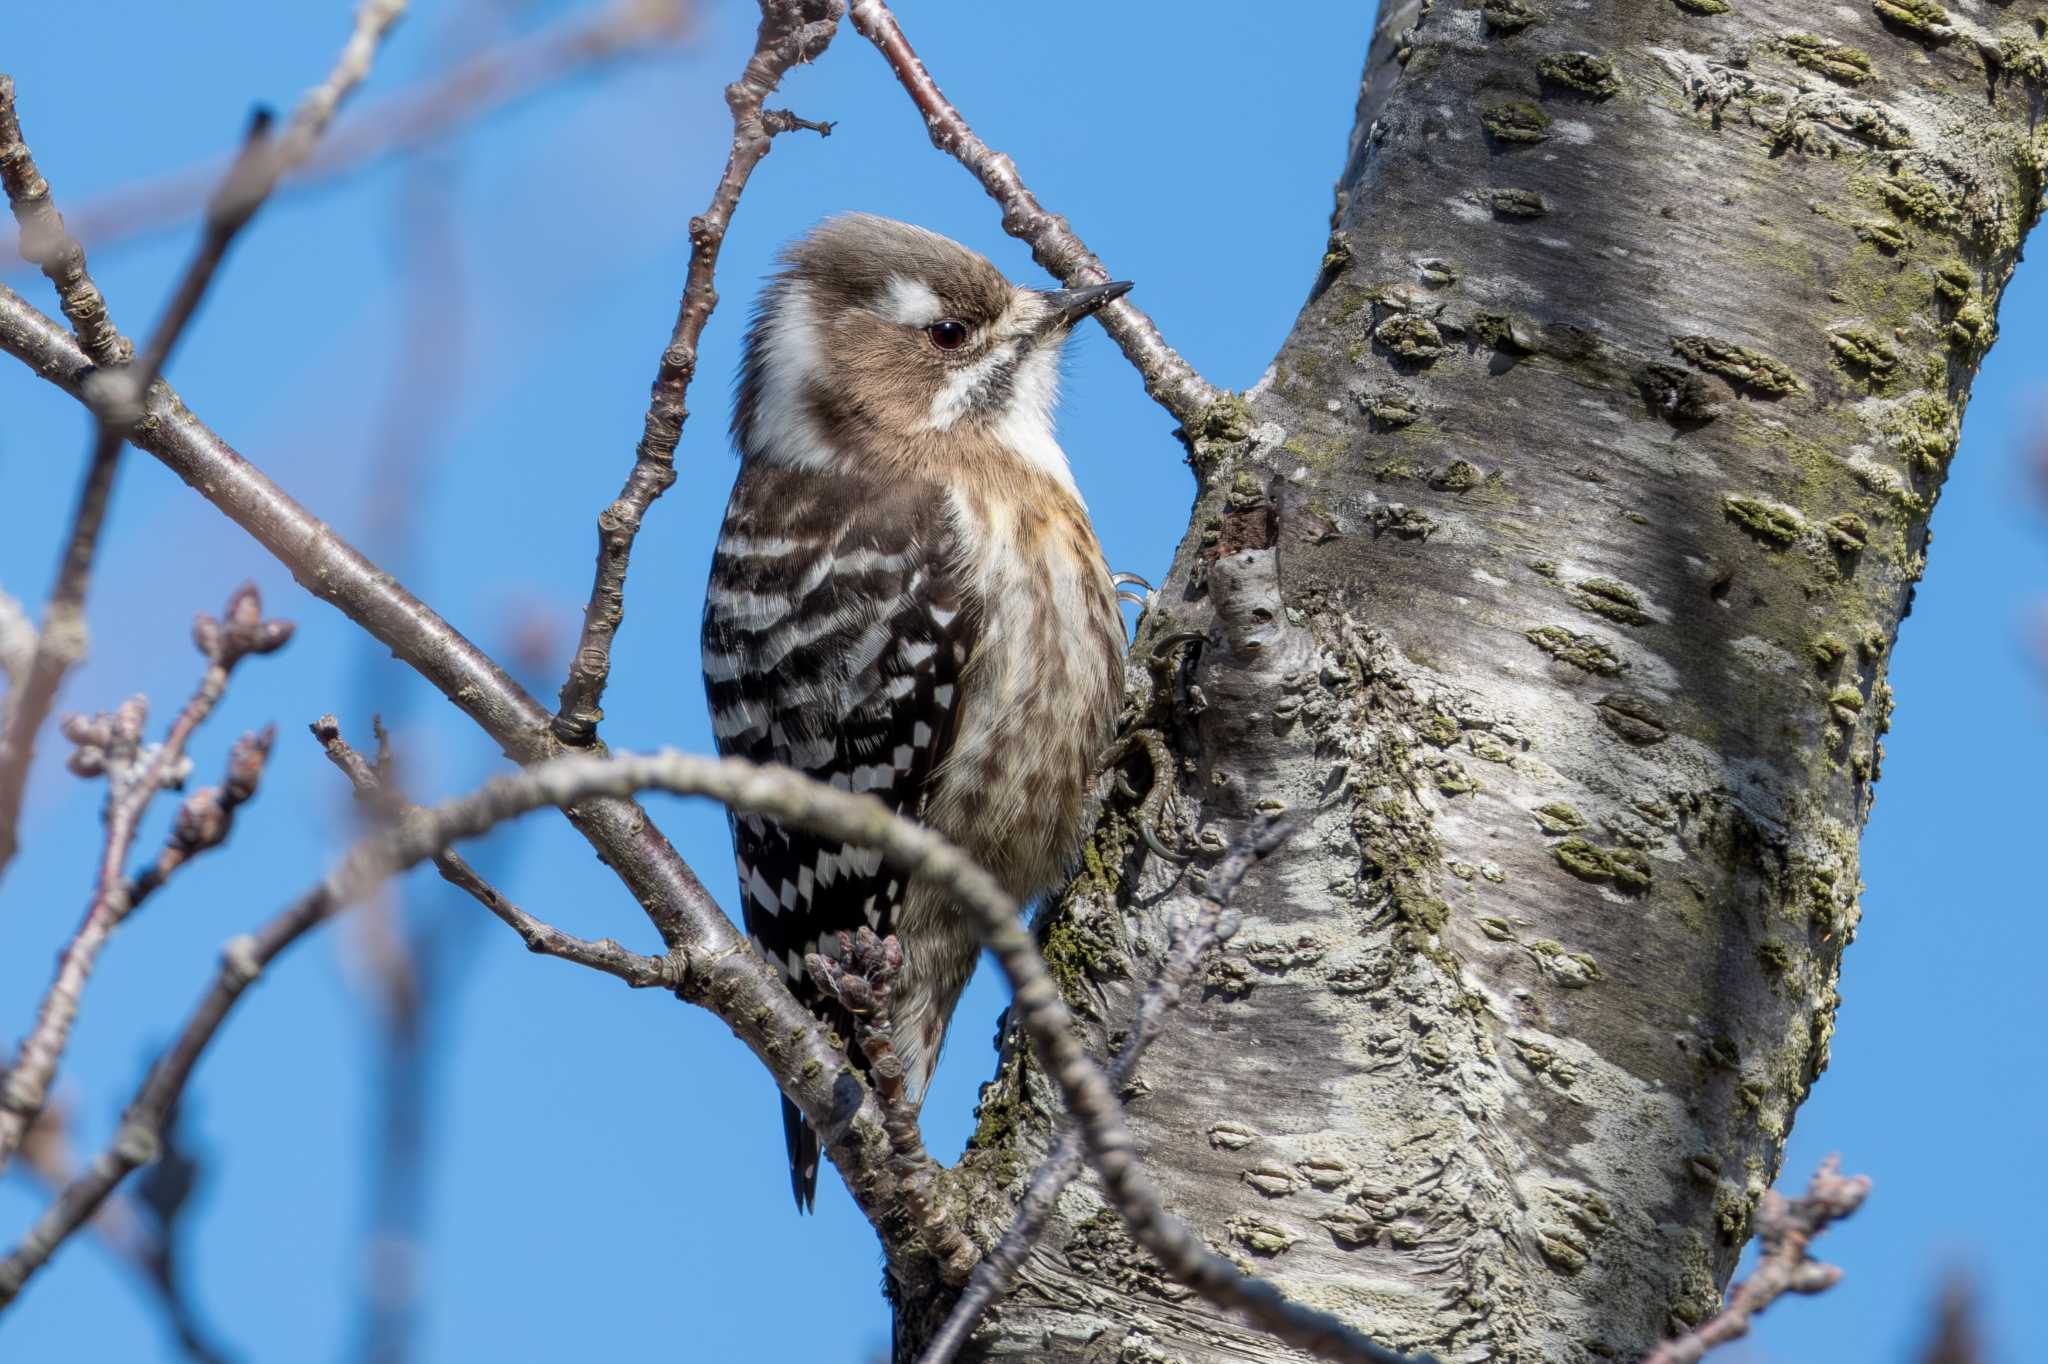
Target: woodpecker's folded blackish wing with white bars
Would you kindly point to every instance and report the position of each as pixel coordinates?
(835, 640)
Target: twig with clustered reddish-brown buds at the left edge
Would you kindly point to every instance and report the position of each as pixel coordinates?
(112, 747)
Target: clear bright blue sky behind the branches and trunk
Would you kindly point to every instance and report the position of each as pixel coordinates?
(611, 1164)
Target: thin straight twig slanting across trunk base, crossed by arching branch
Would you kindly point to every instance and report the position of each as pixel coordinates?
(1189, 941)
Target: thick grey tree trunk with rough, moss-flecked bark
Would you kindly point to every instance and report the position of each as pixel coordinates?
(1549, 579)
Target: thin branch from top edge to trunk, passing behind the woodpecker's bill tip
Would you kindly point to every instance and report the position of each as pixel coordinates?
(1168, 378)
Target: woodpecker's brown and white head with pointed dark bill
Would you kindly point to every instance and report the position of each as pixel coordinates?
(880, 337)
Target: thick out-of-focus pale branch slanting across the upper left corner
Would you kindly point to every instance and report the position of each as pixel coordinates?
(456, 99)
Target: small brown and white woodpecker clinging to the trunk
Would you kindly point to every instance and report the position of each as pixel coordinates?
(906, 601)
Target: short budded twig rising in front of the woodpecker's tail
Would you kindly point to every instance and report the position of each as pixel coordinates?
(863, 980)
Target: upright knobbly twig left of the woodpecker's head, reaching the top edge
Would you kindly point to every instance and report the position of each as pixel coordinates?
(792, 32)
